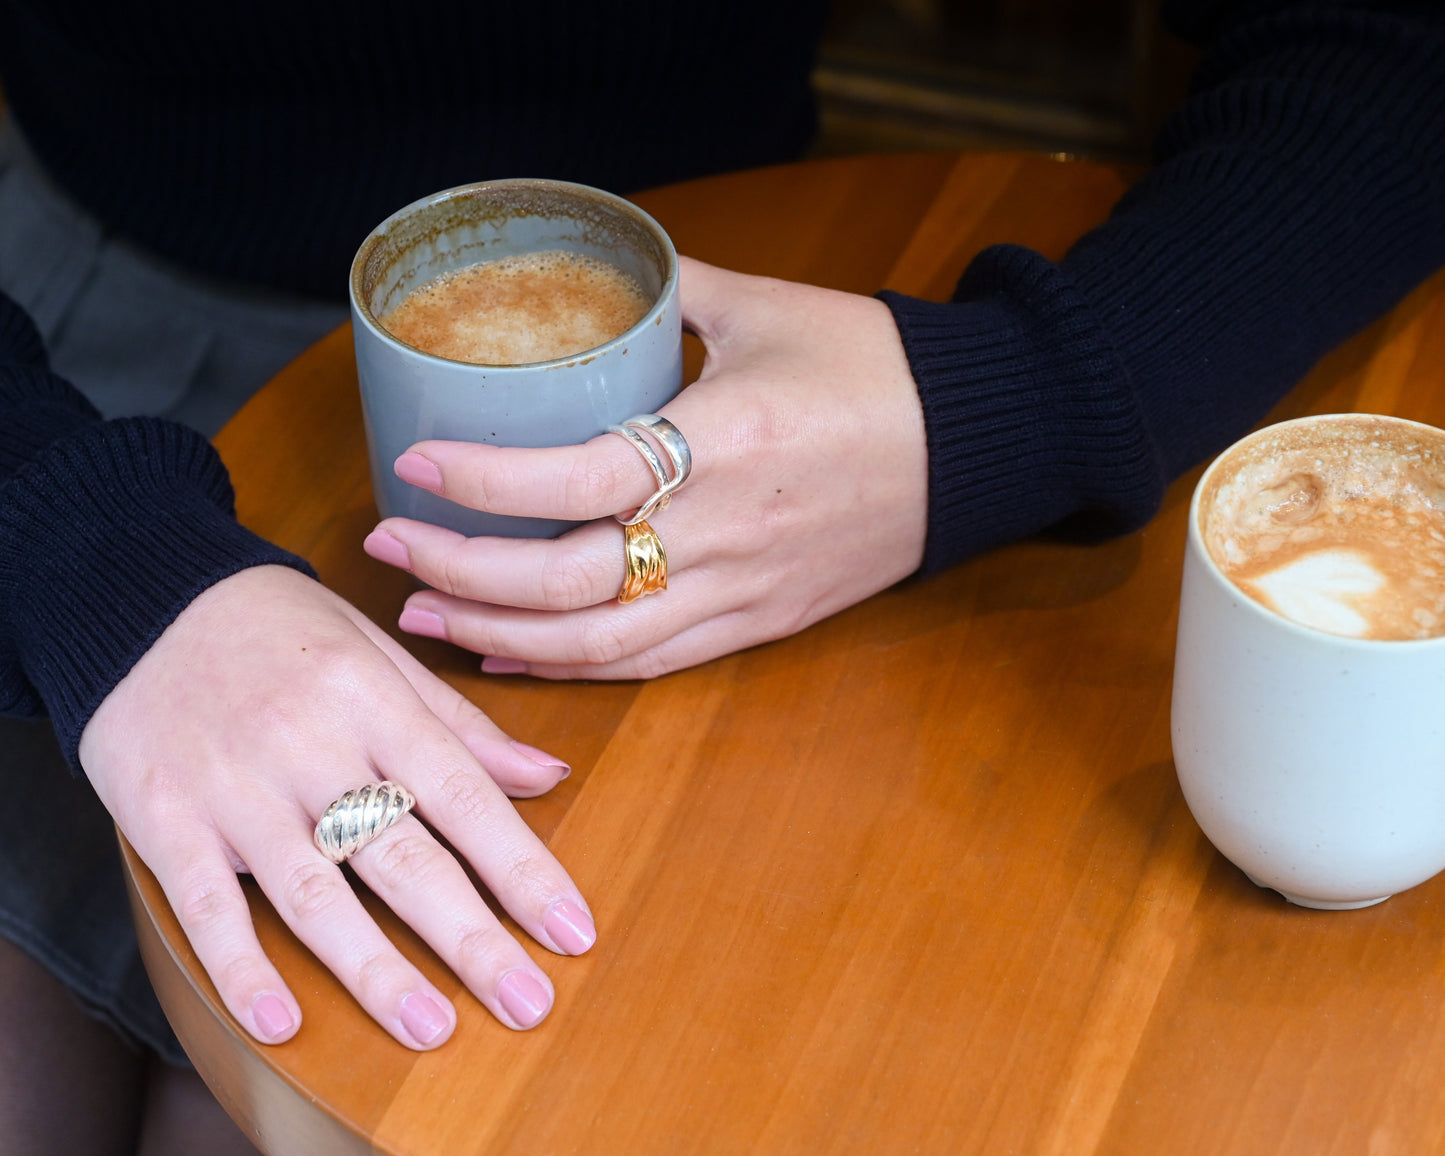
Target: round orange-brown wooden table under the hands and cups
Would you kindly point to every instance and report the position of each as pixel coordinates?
(918, 879)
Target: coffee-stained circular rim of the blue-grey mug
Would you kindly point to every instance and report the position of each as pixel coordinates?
(361, 310)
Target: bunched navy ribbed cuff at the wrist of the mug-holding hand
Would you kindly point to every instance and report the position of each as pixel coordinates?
(1028, 415)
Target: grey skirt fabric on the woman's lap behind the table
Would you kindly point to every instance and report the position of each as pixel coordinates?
(138, 337)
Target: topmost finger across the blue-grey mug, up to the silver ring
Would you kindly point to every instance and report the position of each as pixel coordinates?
(577, 483)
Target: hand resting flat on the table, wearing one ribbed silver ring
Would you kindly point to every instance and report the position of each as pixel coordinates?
(268, 699)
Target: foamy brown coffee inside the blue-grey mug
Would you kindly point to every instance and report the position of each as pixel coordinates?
(515, 311)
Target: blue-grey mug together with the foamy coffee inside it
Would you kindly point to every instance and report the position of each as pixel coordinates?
(553, 246)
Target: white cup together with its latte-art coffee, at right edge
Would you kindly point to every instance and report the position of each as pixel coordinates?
(1310, 665)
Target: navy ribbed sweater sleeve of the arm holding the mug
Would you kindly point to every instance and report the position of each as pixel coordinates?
(1298, 194)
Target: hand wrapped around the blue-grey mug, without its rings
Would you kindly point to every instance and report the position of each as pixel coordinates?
(808, 493)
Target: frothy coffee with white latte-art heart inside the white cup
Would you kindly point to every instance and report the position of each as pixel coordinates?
(1336, 524)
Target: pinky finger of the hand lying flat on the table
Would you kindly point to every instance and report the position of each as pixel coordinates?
(207, 898)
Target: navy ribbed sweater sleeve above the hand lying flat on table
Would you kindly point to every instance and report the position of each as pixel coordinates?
(108, 532)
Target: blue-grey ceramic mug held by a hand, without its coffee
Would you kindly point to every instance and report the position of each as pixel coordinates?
(411, 397)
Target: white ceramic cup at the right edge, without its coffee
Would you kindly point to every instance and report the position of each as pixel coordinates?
(1313, 761)
